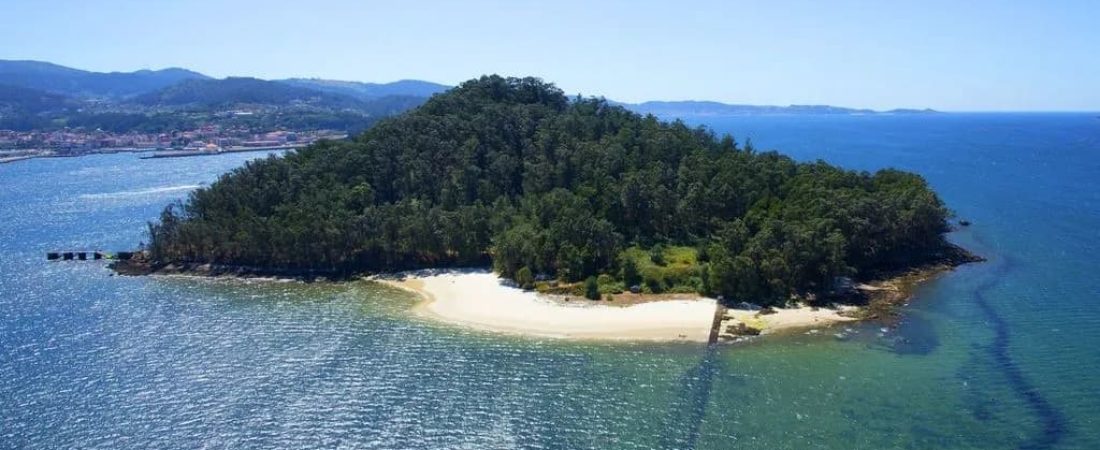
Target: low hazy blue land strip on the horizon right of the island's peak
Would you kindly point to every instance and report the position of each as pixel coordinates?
(714, 108)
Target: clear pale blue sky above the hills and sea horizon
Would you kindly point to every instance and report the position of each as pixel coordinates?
(951, 56)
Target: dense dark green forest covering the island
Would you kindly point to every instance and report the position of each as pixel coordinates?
(513, 172)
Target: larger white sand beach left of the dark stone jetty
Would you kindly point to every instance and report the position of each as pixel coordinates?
(479, 300)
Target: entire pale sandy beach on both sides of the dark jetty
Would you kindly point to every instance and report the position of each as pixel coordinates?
(479, 300)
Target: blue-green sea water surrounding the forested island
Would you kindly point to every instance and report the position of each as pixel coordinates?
(1002, 355)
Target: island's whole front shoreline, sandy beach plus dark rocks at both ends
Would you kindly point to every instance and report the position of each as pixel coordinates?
(478, 299)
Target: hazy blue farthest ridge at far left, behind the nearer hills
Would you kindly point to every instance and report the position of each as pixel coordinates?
(76, 83)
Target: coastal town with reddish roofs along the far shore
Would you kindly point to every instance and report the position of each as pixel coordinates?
(17, 146)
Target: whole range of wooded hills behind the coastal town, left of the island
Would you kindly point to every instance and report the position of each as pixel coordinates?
(45, 96)
